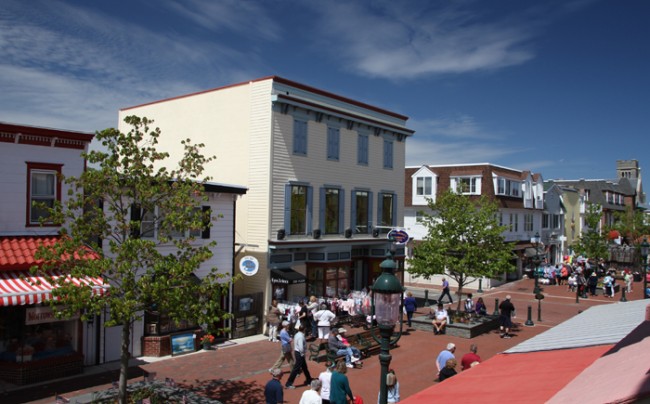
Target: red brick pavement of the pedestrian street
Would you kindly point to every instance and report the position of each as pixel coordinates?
(237, 374)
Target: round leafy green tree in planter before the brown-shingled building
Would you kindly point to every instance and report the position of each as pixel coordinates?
(464, 240)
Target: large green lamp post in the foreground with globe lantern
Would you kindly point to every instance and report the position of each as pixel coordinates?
(387, 298)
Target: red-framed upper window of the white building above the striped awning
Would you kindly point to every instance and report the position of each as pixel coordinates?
(43, 190)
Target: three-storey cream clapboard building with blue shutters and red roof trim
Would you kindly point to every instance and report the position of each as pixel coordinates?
(325, 179)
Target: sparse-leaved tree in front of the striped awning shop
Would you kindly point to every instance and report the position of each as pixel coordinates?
(129, 197)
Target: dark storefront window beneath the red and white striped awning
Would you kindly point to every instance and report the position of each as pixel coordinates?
(33, 333)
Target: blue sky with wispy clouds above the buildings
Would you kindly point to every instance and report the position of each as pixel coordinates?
(557, 87)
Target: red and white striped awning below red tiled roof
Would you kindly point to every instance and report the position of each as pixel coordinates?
(19, 288)
